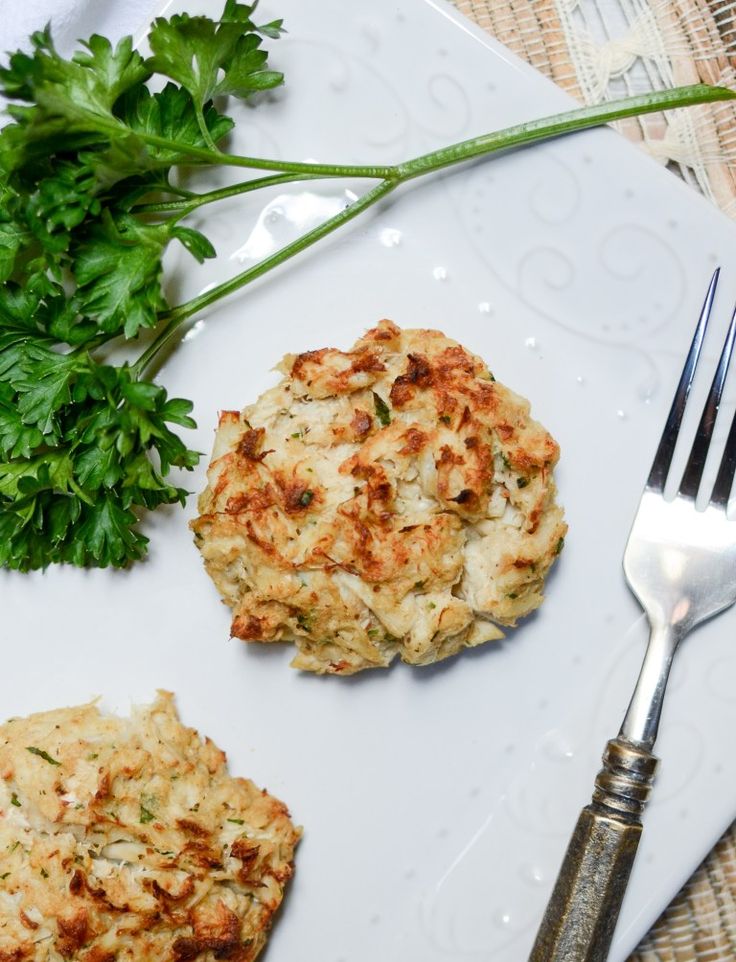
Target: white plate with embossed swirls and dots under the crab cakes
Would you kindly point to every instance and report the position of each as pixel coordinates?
(436, 802)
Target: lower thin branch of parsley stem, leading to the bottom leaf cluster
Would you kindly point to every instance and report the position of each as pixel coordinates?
(176, 317)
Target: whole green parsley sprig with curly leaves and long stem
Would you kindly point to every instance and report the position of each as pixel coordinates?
(90, 200)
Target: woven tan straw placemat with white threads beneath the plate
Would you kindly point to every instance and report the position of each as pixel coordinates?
(597, 50)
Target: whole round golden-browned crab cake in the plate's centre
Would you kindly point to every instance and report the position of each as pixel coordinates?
(394, 499)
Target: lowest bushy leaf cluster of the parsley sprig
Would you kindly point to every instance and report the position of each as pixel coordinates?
(73, 496)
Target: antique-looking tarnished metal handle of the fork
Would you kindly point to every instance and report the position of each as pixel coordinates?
(581, 915)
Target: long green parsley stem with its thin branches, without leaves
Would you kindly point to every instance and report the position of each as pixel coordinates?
(518, 135)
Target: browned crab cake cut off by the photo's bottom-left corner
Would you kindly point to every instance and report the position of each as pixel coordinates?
(125, 840)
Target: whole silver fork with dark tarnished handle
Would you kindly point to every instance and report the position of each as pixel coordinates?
(680, 562)
